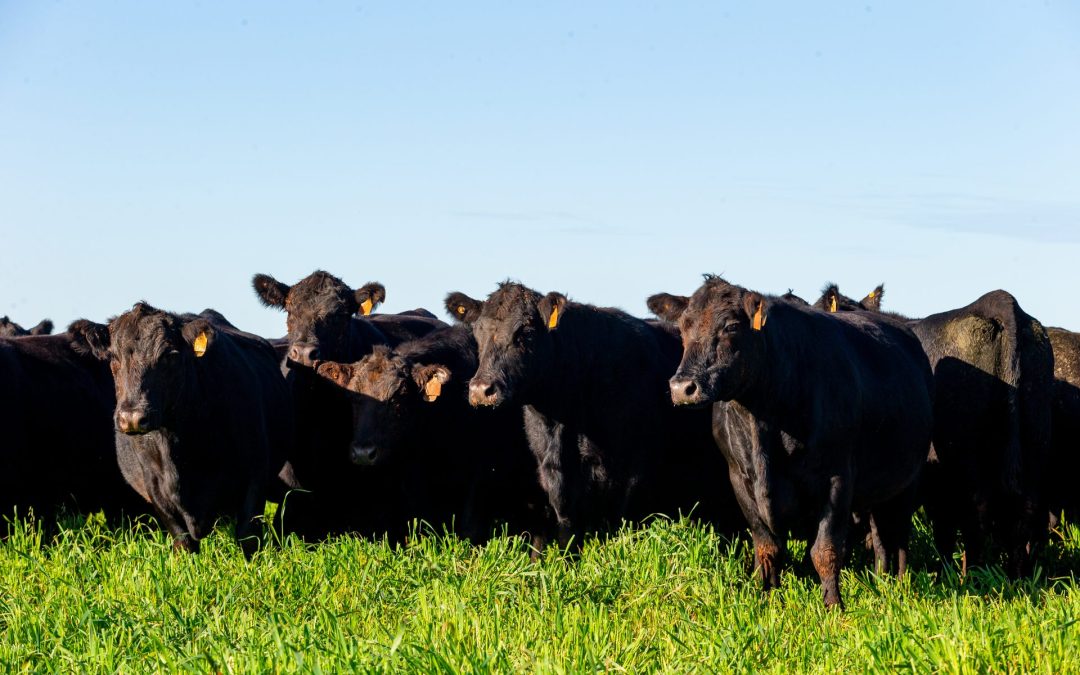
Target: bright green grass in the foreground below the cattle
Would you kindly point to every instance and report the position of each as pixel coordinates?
(672, 597)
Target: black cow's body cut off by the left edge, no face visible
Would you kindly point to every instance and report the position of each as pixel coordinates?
(58, 449)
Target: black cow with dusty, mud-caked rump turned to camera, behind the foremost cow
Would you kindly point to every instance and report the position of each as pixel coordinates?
(994, 372)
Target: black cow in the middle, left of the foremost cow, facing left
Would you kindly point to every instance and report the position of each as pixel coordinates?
(609, 443)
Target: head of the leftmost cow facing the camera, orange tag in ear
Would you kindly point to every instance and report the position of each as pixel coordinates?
(154, 357)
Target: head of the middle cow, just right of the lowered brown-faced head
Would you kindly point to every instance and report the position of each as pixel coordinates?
(514, 336)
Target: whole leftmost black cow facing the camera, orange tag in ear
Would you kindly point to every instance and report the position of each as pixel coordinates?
(204, 418)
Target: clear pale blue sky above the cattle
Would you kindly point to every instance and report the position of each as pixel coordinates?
(168, 152)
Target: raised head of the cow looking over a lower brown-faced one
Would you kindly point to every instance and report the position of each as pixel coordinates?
(320, 309)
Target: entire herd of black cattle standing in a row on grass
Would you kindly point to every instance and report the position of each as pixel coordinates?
(831, 423)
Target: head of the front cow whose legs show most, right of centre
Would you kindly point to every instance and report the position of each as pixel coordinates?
(723, 328)
